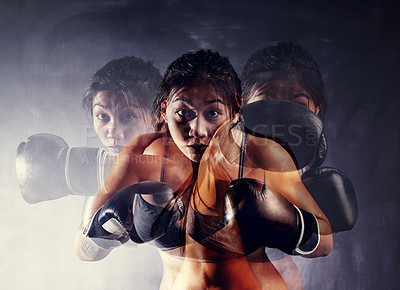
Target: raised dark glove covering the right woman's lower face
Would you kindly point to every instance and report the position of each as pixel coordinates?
(294, 127)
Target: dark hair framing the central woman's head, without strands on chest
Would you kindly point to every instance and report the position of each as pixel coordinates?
(192, 68)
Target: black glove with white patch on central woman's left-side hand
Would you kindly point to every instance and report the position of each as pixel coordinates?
(114, 223)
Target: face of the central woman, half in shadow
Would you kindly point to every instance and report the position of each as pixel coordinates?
(193, 115)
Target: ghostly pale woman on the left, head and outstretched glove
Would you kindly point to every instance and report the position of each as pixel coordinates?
(119, 98)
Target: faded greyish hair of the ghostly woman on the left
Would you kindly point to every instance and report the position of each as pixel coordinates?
(129, 78)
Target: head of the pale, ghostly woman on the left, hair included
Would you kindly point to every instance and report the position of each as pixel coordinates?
(119, 98)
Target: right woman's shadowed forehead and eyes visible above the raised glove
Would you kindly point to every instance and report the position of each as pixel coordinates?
(285, 88)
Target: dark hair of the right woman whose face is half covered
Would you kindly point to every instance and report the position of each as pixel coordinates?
(284, 58)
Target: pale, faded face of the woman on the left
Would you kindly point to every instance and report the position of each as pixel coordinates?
(117, 121)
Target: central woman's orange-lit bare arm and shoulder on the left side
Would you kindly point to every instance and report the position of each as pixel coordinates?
(132, 167)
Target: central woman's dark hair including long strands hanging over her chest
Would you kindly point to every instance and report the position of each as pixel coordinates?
(187, 70)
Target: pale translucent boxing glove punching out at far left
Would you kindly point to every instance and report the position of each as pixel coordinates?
(48, 169)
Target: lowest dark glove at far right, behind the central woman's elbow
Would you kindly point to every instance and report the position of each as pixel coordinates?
(334, 193)
